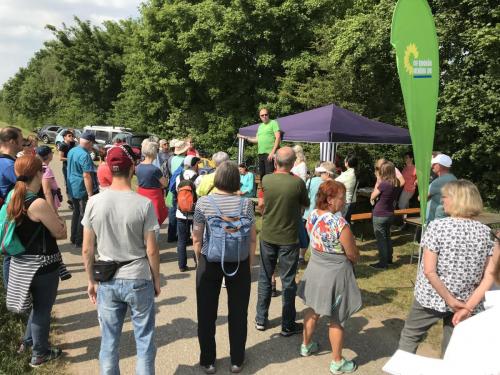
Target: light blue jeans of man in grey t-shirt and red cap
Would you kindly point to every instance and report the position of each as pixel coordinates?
(114, 297)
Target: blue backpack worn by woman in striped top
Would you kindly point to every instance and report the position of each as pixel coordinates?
(228, 237)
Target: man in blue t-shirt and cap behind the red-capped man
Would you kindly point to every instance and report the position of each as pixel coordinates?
(82, 182)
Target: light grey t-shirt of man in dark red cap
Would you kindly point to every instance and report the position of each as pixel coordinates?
(120, 220)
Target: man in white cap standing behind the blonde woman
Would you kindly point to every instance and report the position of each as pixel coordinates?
(441, 165)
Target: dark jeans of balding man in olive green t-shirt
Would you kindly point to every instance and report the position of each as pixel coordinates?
(288, 256)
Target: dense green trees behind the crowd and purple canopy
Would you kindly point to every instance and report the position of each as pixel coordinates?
(204, 67)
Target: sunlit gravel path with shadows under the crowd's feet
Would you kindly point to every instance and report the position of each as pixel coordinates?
(371, 342)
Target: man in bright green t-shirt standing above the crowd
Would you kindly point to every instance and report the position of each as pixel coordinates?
(268, 141)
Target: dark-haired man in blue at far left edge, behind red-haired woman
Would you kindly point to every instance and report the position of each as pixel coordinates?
(11, 142)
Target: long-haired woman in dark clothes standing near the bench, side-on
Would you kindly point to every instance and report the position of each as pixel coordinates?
(385, 192)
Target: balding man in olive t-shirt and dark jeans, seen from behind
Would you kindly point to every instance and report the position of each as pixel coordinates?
(284, 197)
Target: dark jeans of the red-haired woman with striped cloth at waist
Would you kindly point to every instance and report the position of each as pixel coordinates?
(43, 291)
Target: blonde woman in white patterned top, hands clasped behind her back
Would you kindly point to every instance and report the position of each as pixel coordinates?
(456, 270)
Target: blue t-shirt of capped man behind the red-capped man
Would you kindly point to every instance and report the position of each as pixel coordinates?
(79, 161)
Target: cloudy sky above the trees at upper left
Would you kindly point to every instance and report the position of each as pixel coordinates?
(22, 24)
